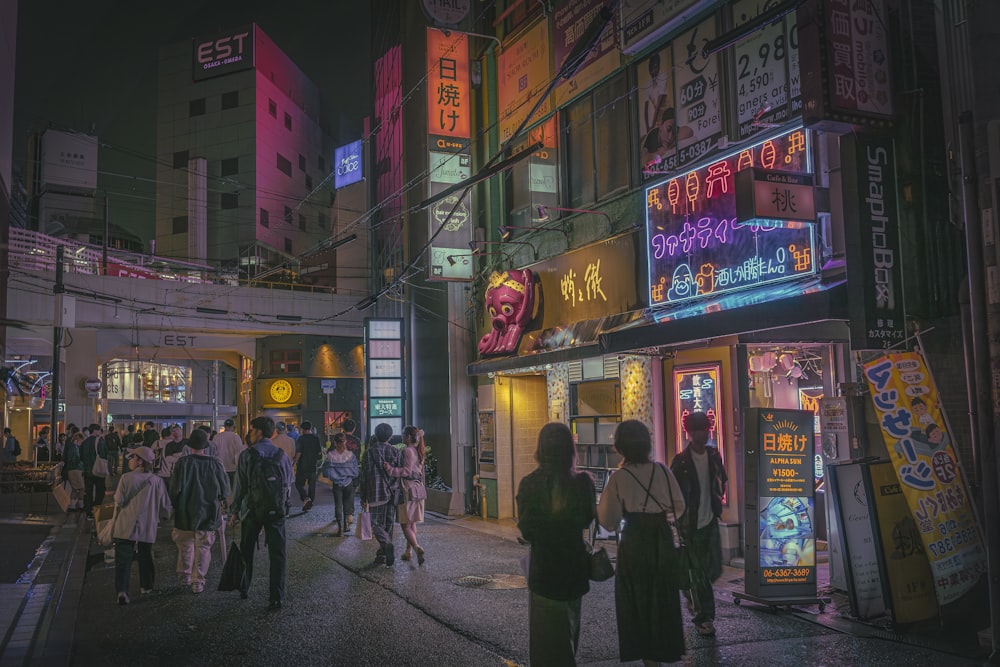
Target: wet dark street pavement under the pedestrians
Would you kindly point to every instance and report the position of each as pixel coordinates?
(466, 606)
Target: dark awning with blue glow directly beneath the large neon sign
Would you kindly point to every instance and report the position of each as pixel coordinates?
(785, 305)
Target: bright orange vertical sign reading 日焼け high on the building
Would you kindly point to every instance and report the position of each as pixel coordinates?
(448, 110)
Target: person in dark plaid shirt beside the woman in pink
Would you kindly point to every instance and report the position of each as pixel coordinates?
(380, 492)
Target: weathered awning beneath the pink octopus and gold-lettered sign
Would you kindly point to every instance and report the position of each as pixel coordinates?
(557, 344)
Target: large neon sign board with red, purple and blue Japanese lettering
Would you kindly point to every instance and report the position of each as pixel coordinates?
(695, 246)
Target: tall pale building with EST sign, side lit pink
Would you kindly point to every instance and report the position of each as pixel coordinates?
(241, 155)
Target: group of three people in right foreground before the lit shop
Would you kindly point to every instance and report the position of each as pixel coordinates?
(656, 511)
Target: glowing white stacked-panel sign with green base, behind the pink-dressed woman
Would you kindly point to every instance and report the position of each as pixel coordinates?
(384, 374)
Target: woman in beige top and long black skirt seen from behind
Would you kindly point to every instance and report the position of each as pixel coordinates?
(644, 499)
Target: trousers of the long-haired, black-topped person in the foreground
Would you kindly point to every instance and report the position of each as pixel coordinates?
(553, 630)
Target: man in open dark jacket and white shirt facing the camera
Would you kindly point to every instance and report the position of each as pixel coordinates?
(702, 478)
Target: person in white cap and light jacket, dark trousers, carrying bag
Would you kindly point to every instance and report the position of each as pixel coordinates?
(141, 502)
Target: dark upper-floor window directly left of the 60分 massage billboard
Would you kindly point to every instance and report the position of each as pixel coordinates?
(596, 131)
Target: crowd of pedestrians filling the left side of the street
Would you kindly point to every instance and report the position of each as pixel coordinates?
(205, 480)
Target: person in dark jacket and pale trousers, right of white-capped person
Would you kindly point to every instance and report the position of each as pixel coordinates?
(197, 487)
